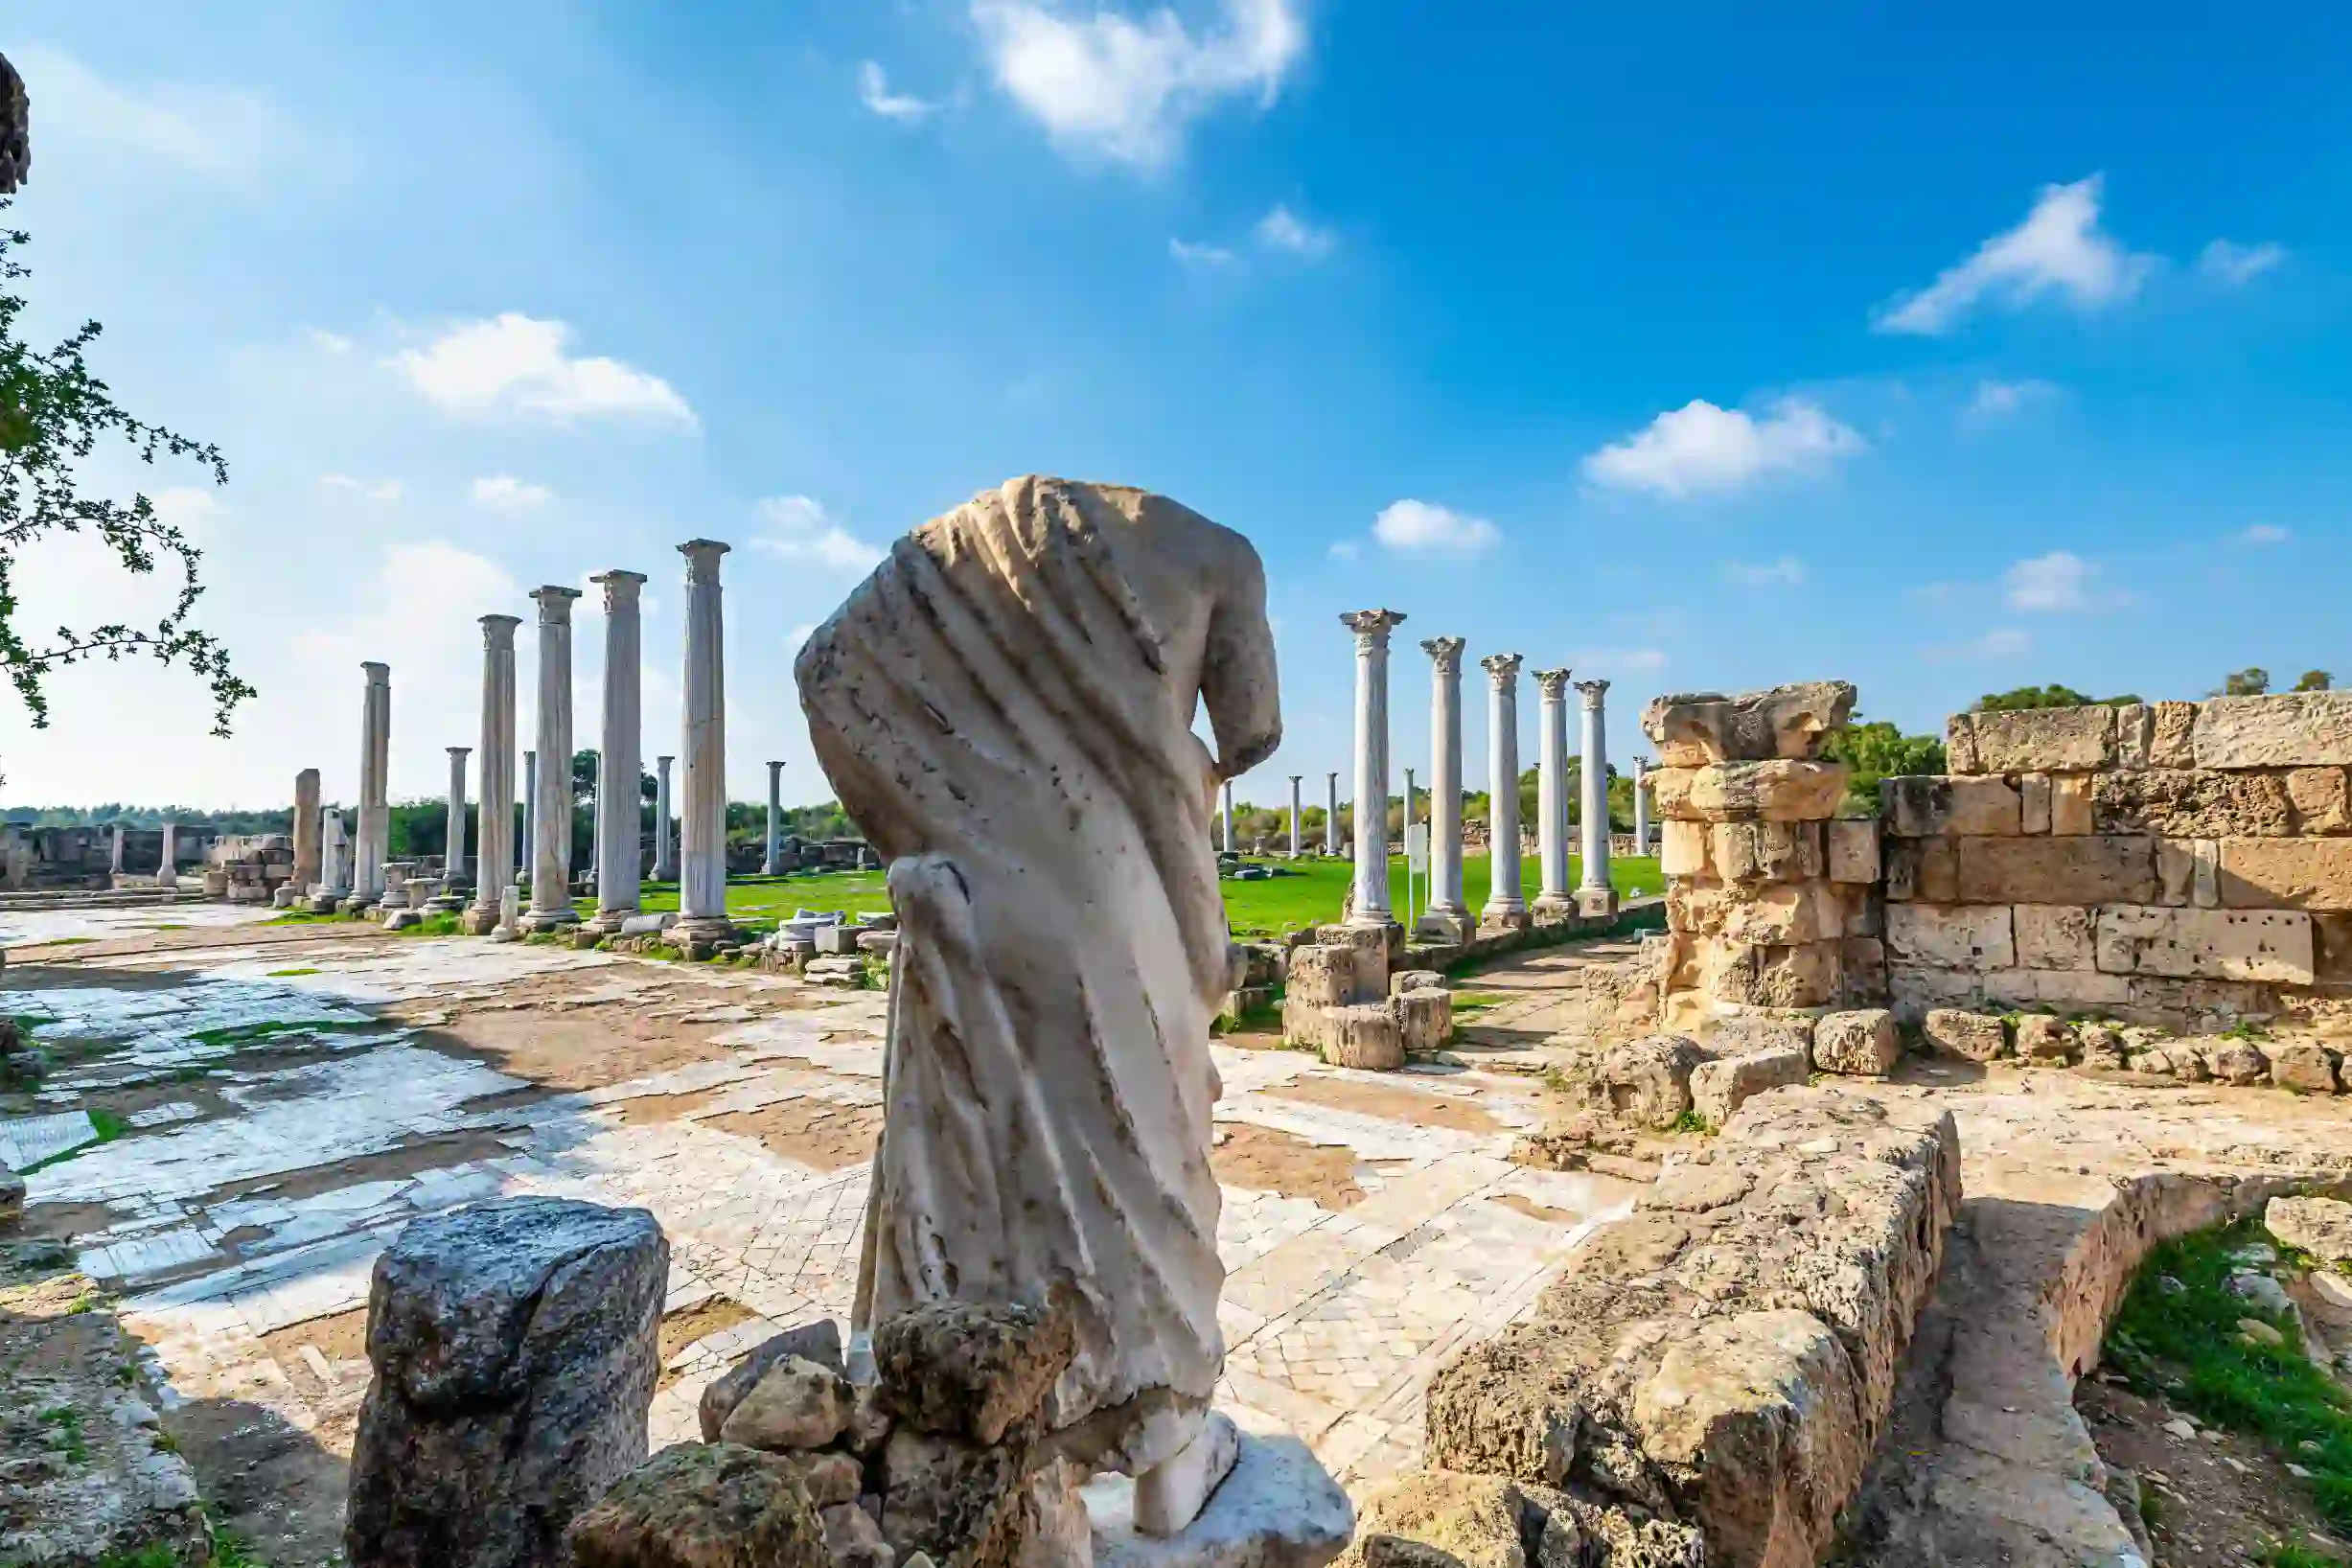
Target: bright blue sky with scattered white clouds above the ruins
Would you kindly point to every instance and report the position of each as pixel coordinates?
(1697, 351)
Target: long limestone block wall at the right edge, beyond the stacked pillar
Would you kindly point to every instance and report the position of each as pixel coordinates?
(2172, 864)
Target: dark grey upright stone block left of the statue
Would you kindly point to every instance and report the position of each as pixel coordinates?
(516, 1348)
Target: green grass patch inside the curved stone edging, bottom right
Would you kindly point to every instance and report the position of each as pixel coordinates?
(2184, 1343)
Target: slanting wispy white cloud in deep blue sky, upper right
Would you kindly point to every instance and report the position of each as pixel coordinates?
(2057, 250)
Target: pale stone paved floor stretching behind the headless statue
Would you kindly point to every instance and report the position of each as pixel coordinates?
(298, 1101)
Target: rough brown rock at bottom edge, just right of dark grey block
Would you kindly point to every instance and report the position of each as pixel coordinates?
(702, 1508)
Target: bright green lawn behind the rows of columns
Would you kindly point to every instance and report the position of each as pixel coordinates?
(1307, 894)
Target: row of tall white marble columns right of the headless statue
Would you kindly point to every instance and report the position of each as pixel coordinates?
(1506, 906)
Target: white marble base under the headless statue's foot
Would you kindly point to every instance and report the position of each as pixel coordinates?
(1278, 1508)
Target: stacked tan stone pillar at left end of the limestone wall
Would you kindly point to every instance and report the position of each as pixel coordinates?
(1770, 897)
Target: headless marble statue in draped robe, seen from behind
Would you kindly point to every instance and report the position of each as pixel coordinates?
(1005, 709)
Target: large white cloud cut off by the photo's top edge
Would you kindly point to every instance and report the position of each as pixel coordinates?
(1125, 91)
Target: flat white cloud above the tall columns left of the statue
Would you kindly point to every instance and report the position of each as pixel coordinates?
(523, 366)
